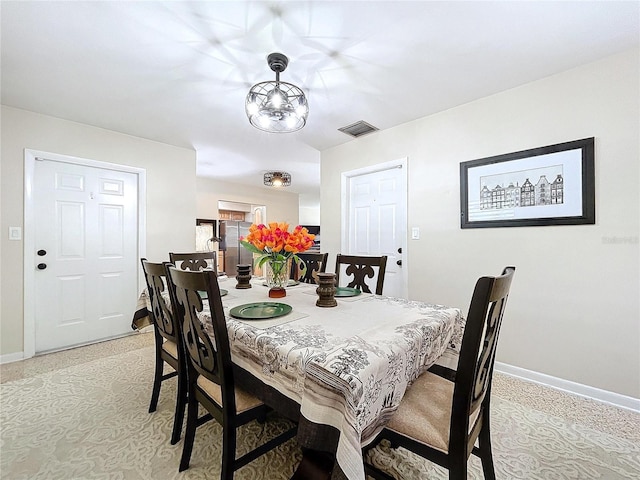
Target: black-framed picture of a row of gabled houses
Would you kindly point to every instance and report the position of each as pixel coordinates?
(512, 190)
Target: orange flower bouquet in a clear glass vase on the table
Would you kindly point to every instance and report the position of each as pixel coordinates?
(277, 247)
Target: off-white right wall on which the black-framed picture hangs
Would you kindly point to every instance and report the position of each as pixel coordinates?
(574, 309)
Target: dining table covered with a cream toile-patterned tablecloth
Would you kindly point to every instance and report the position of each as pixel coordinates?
(341, 371)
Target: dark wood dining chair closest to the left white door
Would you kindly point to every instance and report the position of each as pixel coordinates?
(169, 347)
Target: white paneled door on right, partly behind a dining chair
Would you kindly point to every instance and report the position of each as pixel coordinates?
(375, 222)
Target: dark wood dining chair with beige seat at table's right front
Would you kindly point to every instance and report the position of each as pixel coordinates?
(444, 412)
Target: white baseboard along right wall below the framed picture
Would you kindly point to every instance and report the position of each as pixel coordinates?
(597, 394)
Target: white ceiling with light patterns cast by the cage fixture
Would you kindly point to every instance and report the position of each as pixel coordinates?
(178, 72)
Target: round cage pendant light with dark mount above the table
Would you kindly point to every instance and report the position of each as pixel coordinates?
(277, 107)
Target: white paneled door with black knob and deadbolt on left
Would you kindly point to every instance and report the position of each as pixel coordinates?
(86, 249)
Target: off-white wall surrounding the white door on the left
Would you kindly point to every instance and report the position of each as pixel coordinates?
(171, 201)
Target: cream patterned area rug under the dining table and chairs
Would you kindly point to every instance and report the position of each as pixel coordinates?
(90, 421)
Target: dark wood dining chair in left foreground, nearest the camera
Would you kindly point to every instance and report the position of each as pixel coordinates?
(210, 372)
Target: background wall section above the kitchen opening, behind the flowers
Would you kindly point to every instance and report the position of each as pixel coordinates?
(282, 206)
